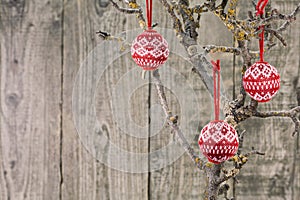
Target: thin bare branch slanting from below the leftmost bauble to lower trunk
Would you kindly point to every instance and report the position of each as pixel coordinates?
(173, 123)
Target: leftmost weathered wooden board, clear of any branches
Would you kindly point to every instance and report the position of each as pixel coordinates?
(30, 99)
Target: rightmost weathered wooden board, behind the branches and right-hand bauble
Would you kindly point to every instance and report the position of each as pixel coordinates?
(276, 175)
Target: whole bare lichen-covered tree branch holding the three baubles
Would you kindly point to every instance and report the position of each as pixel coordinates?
(235, 111)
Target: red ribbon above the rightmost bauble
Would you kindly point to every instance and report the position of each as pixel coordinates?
(261, 4)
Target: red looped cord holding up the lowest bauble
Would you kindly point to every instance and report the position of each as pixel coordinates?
(216, 70)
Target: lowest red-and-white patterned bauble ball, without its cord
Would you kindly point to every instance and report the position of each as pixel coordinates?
(218, 141)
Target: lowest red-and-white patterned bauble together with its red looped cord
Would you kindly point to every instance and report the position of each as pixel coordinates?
(218, 140)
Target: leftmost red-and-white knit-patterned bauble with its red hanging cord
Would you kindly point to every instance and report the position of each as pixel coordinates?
(149, 49)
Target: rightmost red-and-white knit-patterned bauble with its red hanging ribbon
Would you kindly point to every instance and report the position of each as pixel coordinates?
(261, 81)
